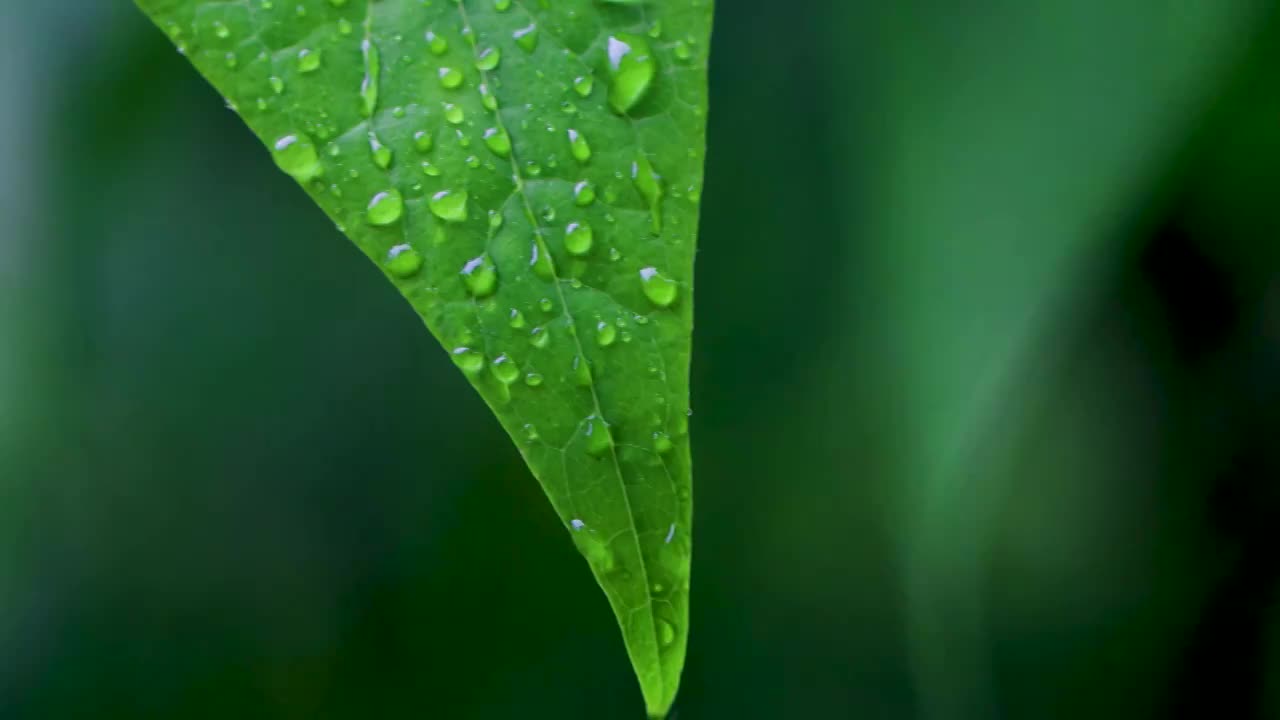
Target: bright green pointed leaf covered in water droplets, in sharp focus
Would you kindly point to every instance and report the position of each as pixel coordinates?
(528, 175)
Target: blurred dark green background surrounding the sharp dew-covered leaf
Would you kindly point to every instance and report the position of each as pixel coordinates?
(988, 381)
